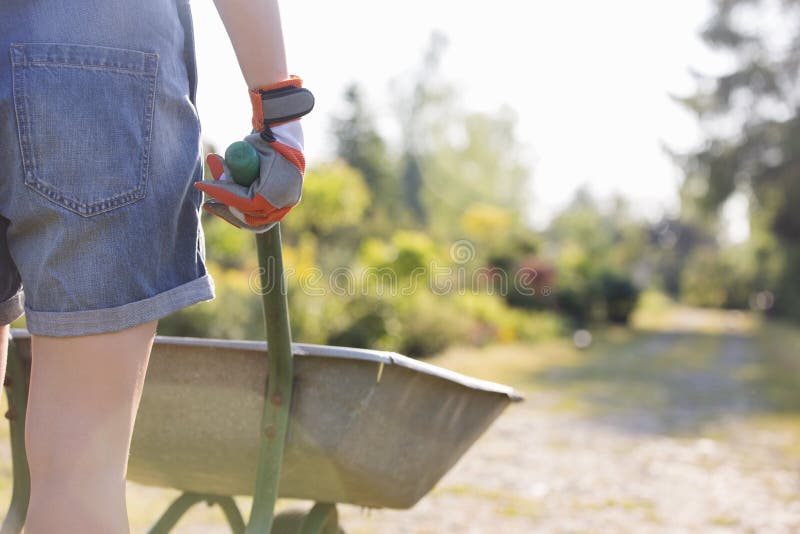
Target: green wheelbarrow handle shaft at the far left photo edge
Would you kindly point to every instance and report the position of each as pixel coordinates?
(16, 384)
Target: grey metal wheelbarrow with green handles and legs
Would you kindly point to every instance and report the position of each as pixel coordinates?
(332, 425)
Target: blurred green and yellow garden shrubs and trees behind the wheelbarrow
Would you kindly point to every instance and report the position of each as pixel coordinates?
(415, 245)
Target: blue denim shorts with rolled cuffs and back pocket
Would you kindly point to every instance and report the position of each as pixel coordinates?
(99, 148)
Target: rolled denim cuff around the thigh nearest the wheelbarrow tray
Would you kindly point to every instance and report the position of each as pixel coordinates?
(81, 323)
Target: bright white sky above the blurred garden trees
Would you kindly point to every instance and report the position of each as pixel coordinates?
(590, 82)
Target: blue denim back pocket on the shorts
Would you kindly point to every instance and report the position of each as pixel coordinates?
(85, 119)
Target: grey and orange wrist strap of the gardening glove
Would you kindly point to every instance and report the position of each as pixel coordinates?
(280, 102)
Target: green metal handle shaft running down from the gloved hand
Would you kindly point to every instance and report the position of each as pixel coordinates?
(275, 418)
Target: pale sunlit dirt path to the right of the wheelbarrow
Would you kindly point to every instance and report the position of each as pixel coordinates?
(685, 461)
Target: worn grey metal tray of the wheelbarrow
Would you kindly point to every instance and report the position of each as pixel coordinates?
(352, 438)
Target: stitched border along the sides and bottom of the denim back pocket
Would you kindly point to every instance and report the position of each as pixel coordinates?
(29, 156)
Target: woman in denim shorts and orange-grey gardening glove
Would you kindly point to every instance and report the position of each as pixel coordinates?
(99, 217)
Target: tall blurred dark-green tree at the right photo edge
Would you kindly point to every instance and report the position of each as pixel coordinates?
(750, 115)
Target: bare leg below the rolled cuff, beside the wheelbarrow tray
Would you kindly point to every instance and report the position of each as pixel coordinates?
(83, 399)
